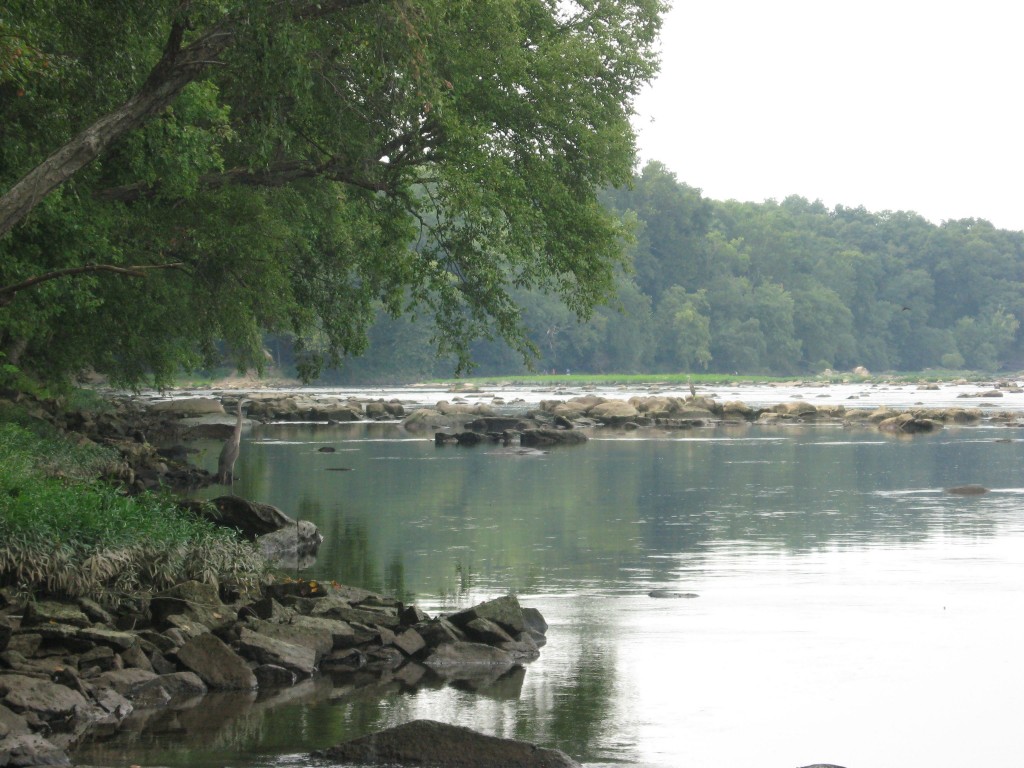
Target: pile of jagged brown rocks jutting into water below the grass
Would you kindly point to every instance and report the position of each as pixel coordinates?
(68, 666)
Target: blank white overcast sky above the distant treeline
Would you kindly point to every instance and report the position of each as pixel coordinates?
(905, 105)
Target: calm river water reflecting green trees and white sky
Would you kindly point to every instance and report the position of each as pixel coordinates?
(849, 612)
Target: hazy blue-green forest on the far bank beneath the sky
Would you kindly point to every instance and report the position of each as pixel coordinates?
(775, 288)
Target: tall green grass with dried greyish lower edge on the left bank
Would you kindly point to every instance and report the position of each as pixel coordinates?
(64, 535)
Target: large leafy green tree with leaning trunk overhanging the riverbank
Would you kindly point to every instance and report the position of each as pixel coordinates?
(180, 177)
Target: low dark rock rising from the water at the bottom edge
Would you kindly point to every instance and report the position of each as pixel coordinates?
(434, 745)
